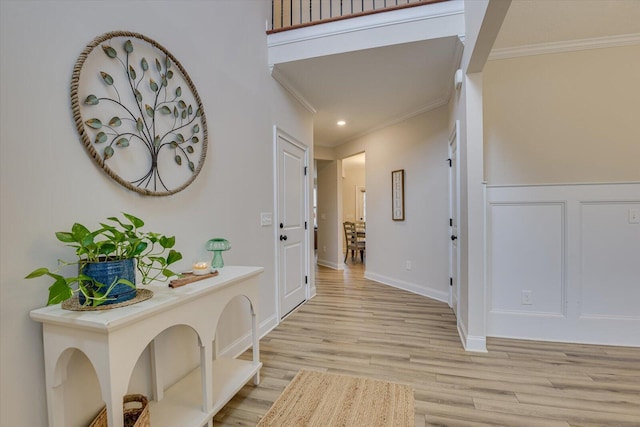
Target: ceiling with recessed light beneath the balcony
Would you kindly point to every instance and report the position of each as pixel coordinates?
(374, 87)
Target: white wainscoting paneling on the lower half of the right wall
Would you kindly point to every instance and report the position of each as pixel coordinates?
(563, 263)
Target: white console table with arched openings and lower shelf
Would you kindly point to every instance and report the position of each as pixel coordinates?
(113, 340)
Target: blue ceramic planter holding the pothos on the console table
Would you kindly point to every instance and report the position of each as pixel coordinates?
(108, 272)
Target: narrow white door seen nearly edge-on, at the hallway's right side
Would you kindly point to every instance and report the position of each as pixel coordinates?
(453, 219)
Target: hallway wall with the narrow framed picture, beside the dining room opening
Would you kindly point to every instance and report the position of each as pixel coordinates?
(420, 147)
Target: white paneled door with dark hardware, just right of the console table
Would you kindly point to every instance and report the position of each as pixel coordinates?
(291, 223)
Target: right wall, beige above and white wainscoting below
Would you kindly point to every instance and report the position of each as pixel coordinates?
(572, 245)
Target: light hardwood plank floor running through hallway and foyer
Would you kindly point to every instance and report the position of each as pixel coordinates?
(359, 327)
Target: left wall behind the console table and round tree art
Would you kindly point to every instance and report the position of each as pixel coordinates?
(48, 181)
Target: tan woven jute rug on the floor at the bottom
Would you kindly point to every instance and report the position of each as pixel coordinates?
(316, 399)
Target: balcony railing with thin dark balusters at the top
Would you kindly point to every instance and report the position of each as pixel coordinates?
(291, 14)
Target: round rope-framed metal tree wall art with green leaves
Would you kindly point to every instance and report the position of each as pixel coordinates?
(138, 113)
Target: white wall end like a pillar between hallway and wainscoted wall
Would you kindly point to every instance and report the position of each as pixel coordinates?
(466, 106)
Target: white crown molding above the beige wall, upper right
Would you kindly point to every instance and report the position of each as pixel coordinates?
(565, 46)
